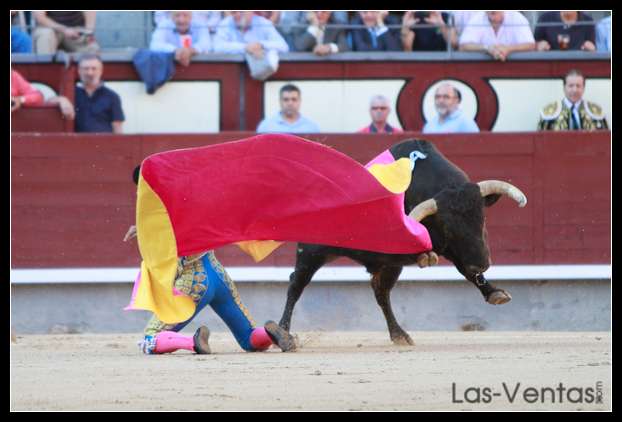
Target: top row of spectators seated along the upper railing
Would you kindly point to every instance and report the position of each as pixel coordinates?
(328, 32)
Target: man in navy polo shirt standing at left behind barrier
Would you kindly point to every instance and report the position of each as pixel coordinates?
(98, 108)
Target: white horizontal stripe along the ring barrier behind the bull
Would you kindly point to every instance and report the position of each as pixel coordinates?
(345, 273)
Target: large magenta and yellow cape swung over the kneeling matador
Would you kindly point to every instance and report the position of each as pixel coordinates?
(257, 193)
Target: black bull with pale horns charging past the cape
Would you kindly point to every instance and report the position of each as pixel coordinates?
(443, 199)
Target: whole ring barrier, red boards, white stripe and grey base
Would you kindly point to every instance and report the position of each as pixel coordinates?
(73, 199)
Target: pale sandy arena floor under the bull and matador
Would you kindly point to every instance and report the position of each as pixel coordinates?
(332, 371)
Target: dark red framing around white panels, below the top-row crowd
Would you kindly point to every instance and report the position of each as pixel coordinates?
(241, 99)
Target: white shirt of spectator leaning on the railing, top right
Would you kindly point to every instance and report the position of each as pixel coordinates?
(515, 29)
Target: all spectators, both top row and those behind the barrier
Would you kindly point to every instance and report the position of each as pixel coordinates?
(187, 34)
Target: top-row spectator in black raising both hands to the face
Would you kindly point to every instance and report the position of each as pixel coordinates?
(427, 39)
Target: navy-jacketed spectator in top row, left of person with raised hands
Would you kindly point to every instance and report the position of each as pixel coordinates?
(375, 36)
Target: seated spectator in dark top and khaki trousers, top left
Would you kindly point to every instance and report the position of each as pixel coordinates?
(71, 31)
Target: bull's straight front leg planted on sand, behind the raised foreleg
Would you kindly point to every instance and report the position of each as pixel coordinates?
(382, 282)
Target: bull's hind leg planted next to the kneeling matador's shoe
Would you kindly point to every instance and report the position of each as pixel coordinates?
(306, 267)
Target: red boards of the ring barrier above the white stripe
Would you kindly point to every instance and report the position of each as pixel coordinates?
(73, 197)
